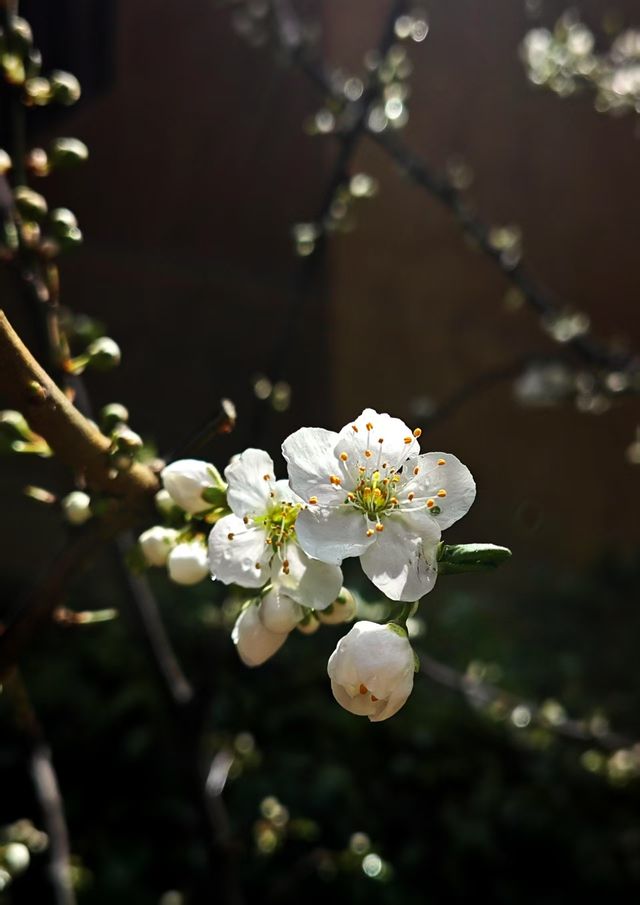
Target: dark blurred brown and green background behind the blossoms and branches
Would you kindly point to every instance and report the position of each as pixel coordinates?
(225, 255)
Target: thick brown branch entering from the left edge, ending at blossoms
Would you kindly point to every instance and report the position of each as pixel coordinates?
(77, 442)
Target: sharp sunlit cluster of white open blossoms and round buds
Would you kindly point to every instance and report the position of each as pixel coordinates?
(366, 491)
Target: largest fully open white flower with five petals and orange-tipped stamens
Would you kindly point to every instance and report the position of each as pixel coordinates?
(371, 494)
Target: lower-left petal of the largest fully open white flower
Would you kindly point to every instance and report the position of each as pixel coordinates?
(333, 534)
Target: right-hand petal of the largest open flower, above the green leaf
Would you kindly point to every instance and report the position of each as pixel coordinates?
(452, 477)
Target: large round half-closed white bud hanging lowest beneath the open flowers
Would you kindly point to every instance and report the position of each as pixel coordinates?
(371, 670)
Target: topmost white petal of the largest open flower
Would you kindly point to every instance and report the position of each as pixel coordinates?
(386, 439)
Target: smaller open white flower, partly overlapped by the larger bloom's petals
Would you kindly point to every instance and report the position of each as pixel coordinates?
(257, 543)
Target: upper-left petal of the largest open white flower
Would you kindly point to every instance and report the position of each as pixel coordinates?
(311, 462)
